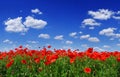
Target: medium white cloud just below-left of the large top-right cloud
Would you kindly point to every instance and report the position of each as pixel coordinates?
(90, 22)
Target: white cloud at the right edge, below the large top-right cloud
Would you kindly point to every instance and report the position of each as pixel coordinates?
(110, 32)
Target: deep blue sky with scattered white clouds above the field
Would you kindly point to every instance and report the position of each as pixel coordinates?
(75, 24)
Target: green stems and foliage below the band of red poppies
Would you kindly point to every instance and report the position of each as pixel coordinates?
(61, 68)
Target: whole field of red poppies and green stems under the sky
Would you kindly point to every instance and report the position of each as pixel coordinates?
(23, 62)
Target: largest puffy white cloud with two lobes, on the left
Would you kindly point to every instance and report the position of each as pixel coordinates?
(16, 24)
